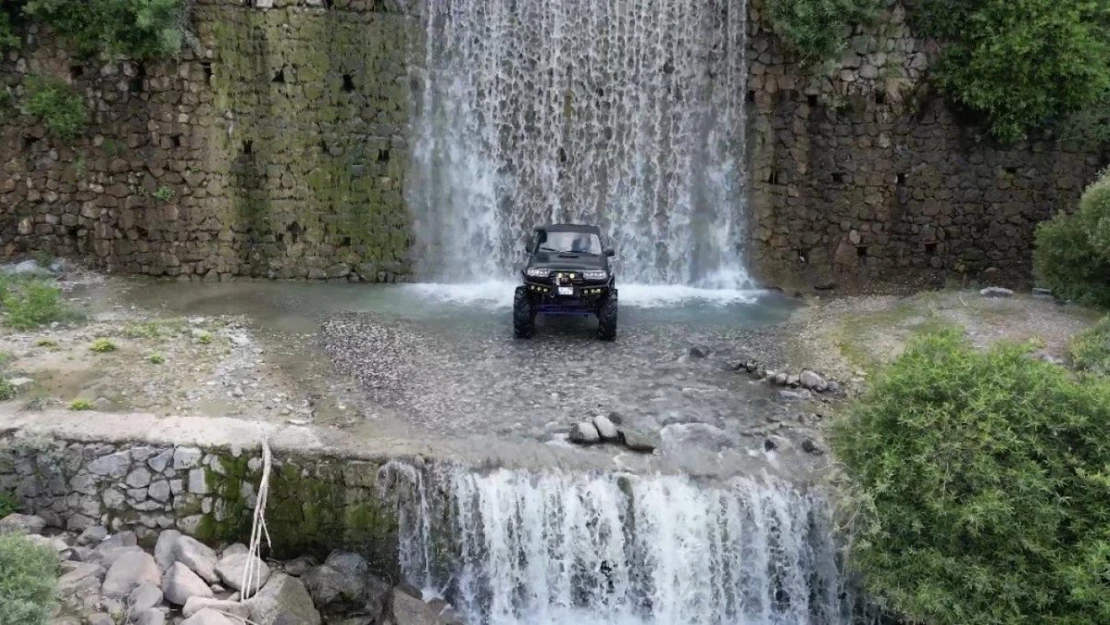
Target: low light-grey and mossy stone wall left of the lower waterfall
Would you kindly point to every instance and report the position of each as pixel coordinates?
(316, 503)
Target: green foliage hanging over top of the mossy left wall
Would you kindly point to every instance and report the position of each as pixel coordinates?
(136, 29)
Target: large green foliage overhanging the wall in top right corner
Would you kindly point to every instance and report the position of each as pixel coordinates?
(1022, 64)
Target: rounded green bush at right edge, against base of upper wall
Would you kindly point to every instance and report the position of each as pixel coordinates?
(1073, 251)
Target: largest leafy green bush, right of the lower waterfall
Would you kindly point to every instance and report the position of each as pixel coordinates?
(981, 488)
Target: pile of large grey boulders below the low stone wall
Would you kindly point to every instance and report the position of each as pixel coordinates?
(109, 580)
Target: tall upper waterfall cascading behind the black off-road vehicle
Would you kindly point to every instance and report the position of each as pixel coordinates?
(628, 114)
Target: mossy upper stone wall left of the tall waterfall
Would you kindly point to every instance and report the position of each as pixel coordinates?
(277, 149)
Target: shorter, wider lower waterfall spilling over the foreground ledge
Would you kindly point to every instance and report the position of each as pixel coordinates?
(554, 549)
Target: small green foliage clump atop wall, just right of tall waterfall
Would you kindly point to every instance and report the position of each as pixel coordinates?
(816, 28)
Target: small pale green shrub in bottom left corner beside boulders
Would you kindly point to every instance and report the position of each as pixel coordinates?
(27, 581)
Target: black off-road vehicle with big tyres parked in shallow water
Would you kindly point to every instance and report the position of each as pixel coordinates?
(568, 274)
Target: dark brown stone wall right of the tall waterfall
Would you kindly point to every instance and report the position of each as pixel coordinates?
(861, 175)
